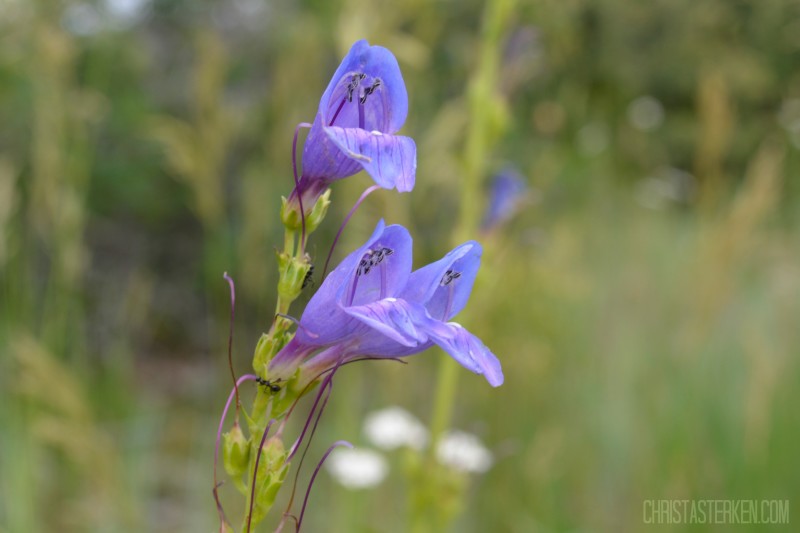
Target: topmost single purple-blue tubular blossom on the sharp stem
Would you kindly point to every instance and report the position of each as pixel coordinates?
(364, 105)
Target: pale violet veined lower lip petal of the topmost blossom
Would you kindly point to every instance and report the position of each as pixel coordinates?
(391, 160)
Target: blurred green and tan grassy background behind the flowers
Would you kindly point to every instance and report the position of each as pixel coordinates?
(644, 299)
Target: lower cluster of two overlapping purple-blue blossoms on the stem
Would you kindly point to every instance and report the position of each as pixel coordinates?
(373, 305)
